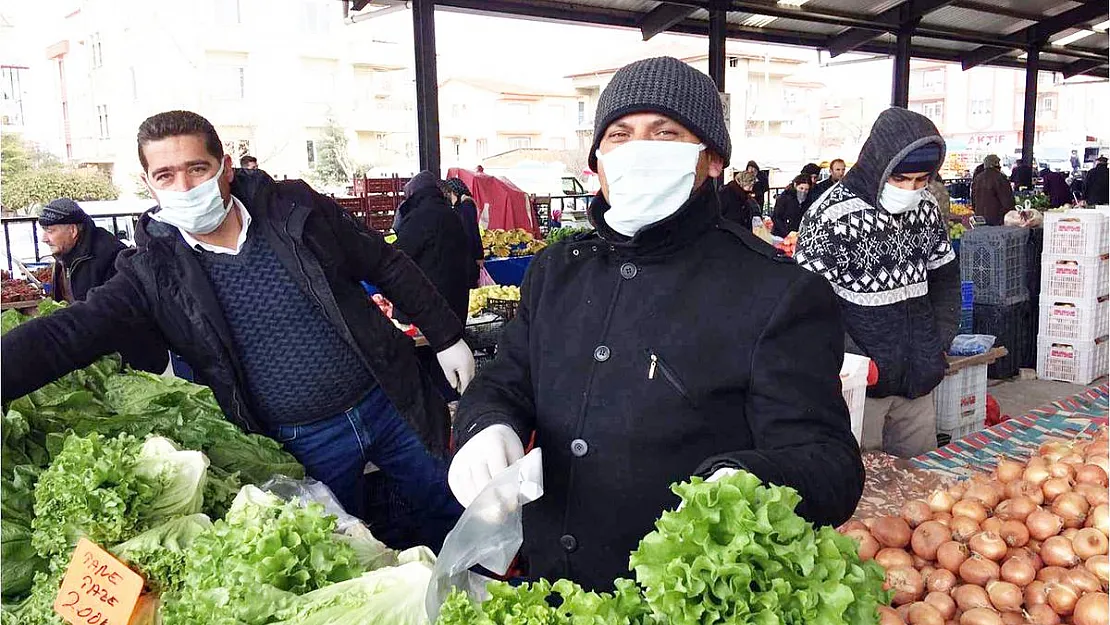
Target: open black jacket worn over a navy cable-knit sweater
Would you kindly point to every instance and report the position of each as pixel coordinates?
(163, 284)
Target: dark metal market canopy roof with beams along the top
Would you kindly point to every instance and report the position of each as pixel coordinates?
(1071, 34)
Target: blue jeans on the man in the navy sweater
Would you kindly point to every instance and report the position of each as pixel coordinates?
(336, 451)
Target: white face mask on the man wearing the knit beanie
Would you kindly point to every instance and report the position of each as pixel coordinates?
(649, 183)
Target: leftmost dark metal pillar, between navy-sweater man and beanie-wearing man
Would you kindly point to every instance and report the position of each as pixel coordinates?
(428, 88)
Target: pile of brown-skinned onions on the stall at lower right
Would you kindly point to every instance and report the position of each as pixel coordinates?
(1026, 545)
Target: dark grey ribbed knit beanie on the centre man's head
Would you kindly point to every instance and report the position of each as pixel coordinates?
(669, 87)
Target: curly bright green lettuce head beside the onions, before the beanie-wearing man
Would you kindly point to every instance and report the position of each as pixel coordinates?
(736, 552)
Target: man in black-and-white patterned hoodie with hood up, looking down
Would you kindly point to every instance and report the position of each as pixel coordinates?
(880, 240)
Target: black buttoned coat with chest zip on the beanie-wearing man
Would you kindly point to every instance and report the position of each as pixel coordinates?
(639, 364)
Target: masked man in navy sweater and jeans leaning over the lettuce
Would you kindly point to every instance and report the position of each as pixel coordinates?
(257, 285)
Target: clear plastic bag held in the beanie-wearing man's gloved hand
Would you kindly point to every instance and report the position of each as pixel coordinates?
(489, 535)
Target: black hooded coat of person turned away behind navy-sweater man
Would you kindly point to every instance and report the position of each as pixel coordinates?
(431, 234)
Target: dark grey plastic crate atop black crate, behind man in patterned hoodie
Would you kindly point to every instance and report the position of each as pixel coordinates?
(994, 259)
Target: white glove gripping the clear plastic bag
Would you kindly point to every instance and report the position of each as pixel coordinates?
(483, 457)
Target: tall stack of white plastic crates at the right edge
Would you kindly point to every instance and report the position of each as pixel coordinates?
(1075, 303)
